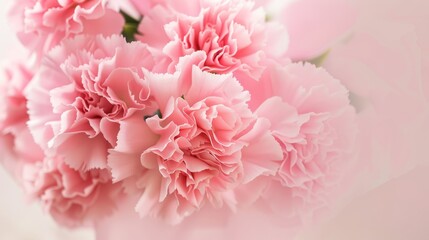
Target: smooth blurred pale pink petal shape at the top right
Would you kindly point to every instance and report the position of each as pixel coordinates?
(315, 26)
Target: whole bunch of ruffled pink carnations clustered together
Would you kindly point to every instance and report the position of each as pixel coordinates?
(181, 106)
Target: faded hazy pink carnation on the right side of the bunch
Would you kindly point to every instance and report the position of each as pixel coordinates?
(313, 121)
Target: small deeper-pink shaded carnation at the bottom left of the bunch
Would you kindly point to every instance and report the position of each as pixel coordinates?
(72, 197)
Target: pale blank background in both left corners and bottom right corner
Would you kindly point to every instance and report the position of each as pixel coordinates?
(396, 210)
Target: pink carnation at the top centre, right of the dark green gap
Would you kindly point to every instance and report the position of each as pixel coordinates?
(233, 35)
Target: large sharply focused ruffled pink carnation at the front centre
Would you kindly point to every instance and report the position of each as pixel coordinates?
(203, 142)
